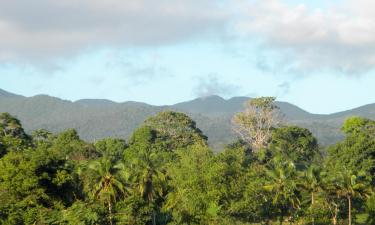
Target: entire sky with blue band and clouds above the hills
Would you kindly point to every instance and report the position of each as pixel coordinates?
(318, 55)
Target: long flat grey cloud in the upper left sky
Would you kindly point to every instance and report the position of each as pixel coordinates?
(44, 28)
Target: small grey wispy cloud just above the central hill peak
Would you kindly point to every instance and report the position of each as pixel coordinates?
(212, 85)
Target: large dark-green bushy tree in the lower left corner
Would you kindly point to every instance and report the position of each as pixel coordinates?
(35, 184)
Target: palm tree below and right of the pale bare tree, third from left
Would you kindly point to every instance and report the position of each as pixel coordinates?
(284, 187)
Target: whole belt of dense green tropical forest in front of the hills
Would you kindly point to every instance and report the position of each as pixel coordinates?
(165, 173)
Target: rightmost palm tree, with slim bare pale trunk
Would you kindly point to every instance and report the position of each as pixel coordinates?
(348, 185)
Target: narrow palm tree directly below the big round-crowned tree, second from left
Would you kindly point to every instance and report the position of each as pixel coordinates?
(149, 176)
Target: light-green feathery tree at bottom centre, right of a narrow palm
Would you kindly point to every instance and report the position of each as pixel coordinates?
(192, 200)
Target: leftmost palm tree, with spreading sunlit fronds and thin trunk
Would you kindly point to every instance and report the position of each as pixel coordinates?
(107, 186)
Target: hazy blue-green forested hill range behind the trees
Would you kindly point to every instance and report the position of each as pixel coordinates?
(95, 119)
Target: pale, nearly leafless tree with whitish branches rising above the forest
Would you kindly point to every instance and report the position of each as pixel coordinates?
(255, 123)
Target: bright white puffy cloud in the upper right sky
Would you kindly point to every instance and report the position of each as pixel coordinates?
(340, 37)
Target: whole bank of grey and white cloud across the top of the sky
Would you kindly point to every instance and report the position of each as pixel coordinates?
(340, 37)
